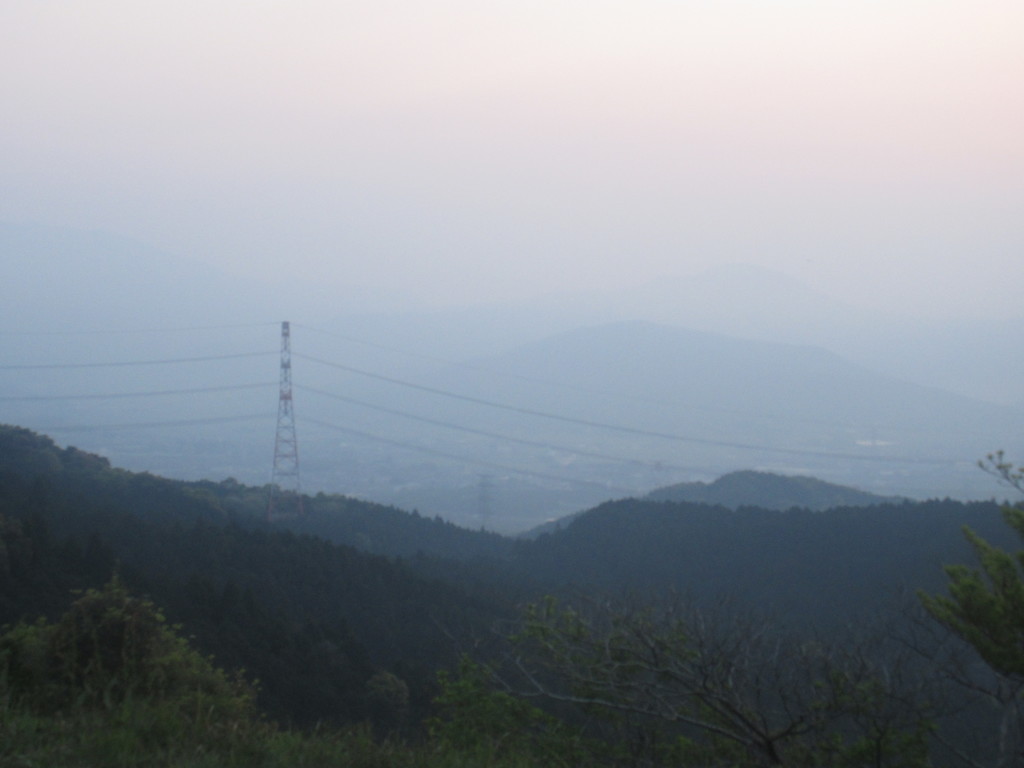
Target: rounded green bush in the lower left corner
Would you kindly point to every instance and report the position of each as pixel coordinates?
(112, 681)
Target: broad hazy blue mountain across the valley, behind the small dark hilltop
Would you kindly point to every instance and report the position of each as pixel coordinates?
(735, 403)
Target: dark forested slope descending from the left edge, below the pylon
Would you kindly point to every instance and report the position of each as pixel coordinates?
(314, 621)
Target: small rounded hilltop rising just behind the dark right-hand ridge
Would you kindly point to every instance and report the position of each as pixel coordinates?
(769, 491)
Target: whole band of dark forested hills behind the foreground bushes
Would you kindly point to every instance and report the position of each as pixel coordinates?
(317, 621)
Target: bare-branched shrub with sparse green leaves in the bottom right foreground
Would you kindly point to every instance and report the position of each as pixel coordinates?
(732, 689)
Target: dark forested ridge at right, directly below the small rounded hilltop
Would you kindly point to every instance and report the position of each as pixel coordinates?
(825, 568)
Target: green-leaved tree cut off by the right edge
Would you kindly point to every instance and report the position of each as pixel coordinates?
(986, 609)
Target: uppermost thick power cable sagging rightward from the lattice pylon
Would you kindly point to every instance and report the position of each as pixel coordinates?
(621, 429)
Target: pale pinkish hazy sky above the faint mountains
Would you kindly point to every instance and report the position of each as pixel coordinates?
(452, 151)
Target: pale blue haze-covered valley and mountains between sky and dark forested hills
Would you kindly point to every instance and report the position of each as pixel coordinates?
(503, 415)
